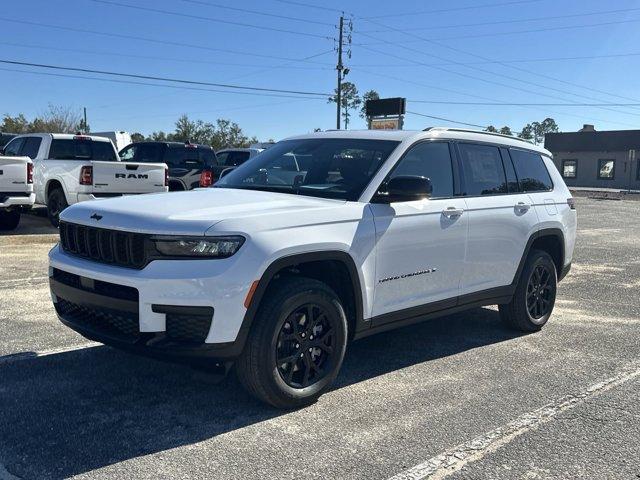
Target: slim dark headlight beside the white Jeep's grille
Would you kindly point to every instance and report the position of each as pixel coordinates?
(199, 247)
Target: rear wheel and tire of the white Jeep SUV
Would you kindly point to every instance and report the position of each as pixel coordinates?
(535, 296)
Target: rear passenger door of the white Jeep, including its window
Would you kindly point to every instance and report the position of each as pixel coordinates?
(501, 217)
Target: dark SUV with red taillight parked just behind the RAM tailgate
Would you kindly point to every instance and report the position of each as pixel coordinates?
(186, 161)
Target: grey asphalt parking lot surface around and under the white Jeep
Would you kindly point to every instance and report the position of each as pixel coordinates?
(459, 396)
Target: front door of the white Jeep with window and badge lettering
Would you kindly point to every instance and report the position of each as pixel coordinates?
(420, 246)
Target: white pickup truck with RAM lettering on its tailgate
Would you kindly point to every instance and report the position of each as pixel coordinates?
(74, 168)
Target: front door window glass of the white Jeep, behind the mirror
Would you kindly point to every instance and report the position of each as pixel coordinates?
(433, 161)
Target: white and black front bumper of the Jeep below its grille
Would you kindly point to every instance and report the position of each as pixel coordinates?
(151, 303)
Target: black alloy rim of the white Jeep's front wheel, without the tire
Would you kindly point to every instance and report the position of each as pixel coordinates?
(304, 350)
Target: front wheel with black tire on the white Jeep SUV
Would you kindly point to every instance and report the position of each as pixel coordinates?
(277, 364)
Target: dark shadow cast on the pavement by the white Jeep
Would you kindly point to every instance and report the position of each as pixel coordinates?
(69, 413)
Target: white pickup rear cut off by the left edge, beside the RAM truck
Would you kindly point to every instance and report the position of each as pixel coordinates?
(16, 190)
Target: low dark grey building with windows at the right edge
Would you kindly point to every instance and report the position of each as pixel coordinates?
(593, 159)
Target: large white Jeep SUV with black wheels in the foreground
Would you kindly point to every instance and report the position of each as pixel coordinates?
(277, 273)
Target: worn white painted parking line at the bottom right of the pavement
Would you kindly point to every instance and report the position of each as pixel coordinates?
(456, 458)
